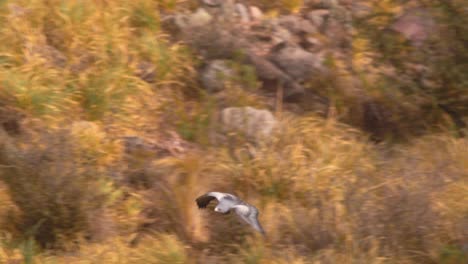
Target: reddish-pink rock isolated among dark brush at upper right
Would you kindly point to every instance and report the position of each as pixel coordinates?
(415, 25)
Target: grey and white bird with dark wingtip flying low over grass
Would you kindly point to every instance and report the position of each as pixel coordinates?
(228, 202)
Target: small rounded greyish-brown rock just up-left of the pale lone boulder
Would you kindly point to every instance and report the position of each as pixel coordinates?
(215, 75)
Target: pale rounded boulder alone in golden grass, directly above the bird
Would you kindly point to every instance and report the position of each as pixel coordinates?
(254, 123)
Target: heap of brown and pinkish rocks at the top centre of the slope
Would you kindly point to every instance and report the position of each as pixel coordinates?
(285, 51)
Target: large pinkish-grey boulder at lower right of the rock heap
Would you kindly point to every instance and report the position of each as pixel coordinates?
(296, 62)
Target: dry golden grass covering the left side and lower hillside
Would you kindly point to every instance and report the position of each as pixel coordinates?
(326, 193)
